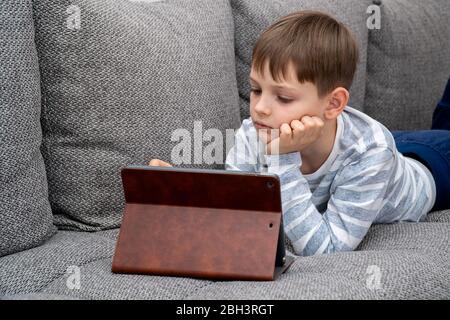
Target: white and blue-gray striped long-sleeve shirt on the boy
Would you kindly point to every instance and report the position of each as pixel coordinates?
(364, 180)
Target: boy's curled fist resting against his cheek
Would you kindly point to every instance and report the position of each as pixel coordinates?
(295, 136)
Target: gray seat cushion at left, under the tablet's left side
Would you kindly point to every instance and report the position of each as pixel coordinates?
(41, 272)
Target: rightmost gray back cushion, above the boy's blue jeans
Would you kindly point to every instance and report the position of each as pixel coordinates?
(408, 63)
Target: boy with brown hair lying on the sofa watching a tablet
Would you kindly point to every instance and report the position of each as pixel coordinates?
(340, 170)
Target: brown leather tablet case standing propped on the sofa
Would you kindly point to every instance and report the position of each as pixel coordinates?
(212, 224)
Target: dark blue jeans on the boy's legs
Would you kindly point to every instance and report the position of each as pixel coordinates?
(432, 148)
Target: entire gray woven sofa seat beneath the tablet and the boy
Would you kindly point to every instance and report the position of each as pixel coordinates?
(412, 258)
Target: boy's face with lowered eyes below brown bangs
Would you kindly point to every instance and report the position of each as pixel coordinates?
(274, 103)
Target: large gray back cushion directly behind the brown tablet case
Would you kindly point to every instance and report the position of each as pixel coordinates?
(118, 78)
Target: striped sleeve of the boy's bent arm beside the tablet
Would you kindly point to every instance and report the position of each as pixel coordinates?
(357, 196)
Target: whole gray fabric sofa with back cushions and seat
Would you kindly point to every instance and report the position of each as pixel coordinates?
(90, 86)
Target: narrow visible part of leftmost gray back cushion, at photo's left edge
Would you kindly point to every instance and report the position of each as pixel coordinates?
(25, 214)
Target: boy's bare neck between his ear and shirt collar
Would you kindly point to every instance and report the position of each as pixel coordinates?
(318, 152)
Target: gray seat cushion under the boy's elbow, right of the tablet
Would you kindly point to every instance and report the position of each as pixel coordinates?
(404, 275)
